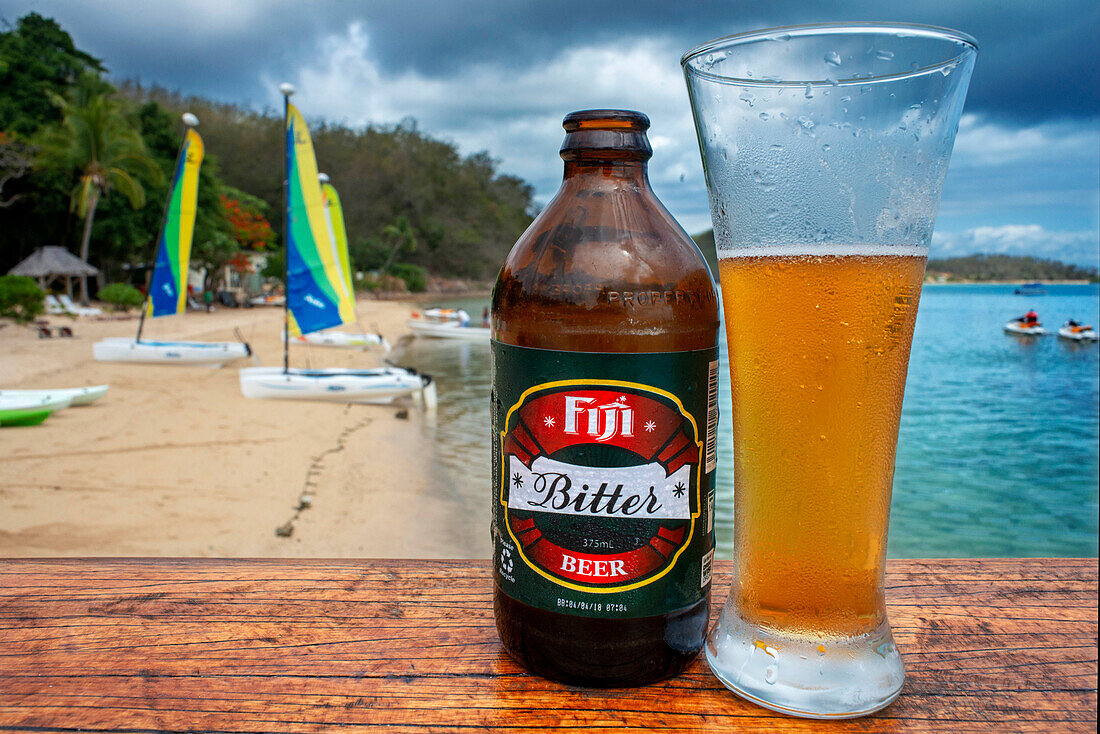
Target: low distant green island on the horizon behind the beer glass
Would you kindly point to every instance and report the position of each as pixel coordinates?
(972, 269)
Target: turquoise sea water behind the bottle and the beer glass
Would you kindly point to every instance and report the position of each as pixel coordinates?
(998, 452)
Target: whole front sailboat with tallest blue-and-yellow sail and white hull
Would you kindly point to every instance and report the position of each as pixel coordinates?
(317, 294)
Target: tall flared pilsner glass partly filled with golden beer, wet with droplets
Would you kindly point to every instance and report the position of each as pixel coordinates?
(826, 149)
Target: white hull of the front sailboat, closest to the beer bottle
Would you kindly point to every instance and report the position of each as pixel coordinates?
(336, 385)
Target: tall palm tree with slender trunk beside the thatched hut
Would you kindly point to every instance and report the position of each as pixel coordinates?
(97, 141)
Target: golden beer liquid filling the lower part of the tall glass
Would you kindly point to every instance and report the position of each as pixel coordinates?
(819, 352)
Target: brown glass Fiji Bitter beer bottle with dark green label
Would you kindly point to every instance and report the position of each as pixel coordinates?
(604, 363)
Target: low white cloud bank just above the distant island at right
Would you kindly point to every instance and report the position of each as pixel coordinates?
(1081, 248)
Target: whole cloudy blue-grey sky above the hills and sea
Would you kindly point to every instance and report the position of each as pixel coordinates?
(499, 75)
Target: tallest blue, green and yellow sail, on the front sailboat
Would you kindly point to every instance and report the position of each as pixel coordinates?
(317, 294)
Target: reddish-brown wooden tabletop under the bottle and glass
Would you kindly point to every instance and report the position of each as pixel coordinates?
(304, 647)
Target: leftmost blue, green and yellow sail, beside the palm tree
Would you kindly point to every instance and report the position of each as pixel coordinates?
(169, 287)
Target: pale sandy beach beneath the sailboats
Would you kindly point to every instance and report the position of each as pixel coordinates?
(175, 462)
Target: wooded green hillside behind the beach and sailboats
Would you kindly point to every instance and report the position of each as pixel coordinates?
(454, 215)
